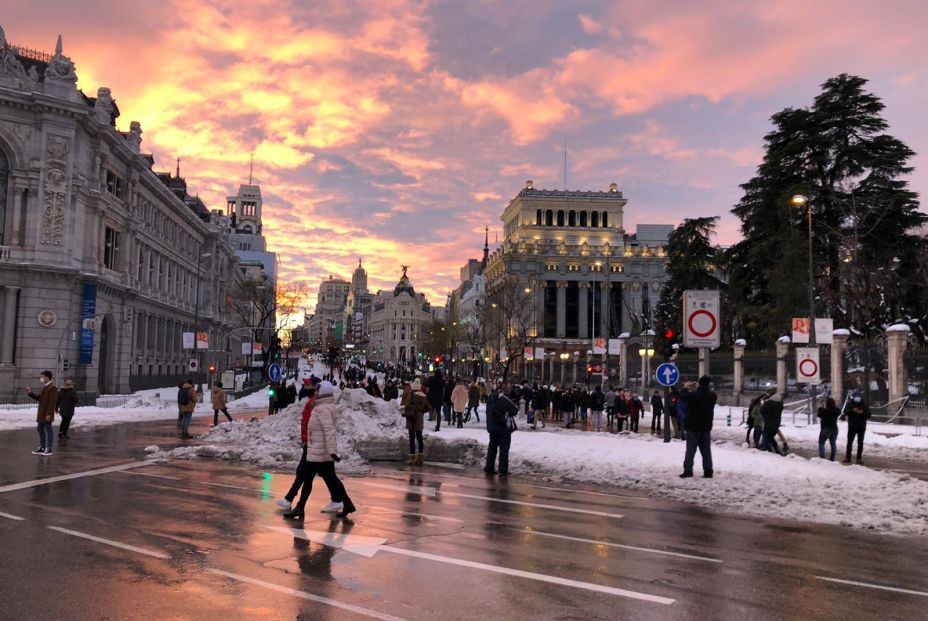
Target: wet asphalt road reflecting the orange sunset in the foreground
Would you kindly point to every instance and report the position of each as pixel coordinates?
(203, 540)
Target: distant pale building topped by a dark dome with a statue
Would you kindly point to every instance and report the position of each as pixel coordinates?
(399, 319)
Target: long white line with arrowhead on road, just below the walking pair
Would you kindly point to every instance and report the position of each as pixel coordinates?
(369, 546)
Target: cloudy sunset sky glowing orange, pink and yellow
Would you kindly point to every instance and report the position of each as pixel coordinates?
(396, 130)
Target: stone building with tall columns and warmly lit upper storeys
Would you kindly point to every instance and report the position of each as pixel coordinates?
(585, 276)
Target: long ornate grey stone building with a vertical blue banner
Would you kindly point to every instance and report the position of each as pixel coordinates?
(101, 258)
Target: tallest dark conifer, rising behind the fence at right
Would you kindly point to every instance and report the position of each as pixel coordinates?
(863, 217)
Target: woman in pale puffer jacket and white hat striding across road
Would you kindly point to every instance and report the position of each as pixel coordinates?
(321, 454)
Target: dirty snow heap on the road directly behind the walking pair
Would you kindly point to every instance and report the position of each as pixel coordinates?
(274, 441)
